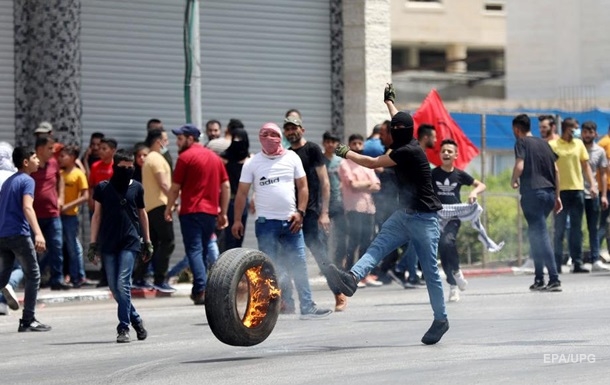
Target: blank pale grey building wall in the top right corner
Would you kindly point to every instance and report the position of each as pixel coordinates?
(558, 49)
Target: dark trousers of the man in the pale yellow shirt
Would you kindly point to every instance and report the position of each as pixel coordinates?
(162, 239)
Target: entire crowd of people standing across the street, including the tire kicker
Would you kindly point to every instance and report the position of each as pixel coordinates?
(371, 211)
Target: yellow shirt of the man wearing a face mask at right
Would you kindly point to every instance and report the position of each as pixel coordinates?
(570, 155)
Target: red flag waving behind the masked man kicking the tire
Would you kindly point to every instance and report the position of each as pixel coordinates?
(432, 111)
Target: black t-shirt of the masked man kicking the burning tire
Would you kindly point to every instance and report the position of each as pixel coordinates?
(414, 179)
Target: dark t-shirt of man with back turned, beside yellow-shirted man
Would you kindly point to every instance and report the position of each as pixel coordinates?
(538, 164)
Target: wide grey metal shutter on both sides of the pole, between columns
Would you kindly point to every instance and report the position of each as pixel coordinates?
(258, 59)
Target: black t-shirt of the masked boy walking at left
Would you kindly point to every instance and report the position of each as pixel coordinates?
(120, 225)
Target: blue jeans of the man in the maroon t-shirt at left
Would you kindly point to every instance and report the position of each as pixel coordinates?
(51, 230)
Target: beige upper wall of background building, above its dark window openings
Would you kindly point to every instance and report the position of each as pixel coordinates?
(447, 22)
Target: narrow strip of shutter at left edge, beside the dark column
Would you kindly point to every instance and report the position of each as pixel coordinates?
(7, 73)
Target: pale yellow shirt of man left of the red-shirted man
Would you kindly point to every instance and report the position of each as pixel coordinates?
(153, 195)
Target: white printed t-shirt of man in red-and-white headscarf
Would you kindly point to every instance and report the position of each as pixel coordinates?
(273, 183)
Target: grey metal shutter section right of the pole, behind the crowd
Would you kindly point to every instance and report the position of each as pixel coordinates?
(260, 58)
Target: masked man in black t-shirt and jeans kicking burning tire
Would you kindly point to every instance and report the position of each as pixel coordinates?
(416, 218)
